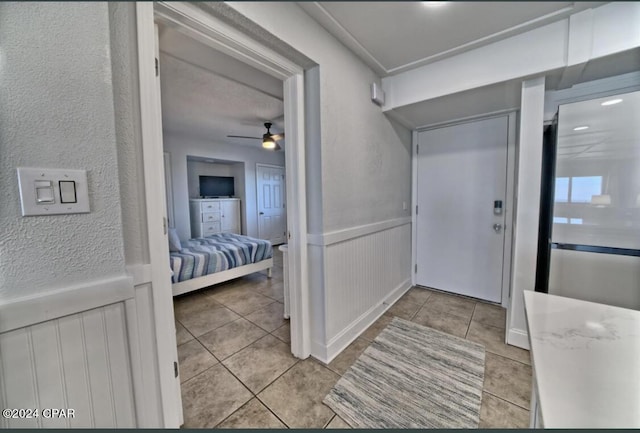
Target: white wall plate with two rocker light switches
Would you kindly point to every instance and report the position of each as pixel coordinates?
(53, 191)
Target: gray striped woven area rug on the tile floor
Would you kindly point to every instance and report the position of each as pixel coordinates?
(412, 376)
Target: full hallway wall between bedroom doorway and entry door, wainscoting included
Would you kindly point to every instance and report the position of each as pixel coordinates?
(358, 165)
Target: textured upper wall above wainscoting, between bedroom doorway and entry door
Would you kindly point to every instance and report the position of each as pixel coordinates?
(365, 158)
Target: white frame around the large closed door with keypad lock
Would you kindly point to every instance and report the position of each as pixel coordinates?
(510, 197)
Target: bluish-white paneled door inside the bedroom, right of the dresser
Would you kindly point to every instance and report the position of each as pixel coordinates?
(272, 223)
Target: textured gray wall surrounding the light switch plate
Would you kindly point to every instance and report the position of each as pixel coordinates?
(57, 111)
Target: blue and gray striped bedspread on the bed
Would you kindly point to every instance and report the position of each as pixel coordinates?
(215, 253)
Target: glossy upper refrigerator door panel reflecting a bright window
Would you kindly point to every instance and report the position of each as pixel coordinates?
(597, 176)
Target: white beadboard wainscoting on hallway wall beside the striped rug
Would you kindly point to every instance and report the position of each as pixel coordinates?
(362, 272)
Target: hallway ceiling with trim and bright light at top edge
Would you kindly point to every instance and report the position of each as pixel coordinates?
(392, 37)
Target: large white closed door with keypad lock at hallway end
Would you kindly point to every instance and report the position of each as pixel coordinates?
(462, 171)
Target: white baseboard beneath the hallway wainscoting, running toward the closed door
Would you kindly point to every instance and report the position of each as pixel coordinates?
(326, 353)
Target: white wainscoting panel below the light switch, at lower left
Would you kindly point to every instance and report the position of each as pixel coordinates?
(80, 361)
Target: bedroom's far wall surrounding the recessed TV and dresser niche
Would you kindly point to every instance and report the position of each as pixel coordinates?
(180, 147)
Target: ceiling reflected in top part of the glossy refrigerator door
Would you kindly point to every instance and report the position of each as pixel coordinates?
(613, 130)
